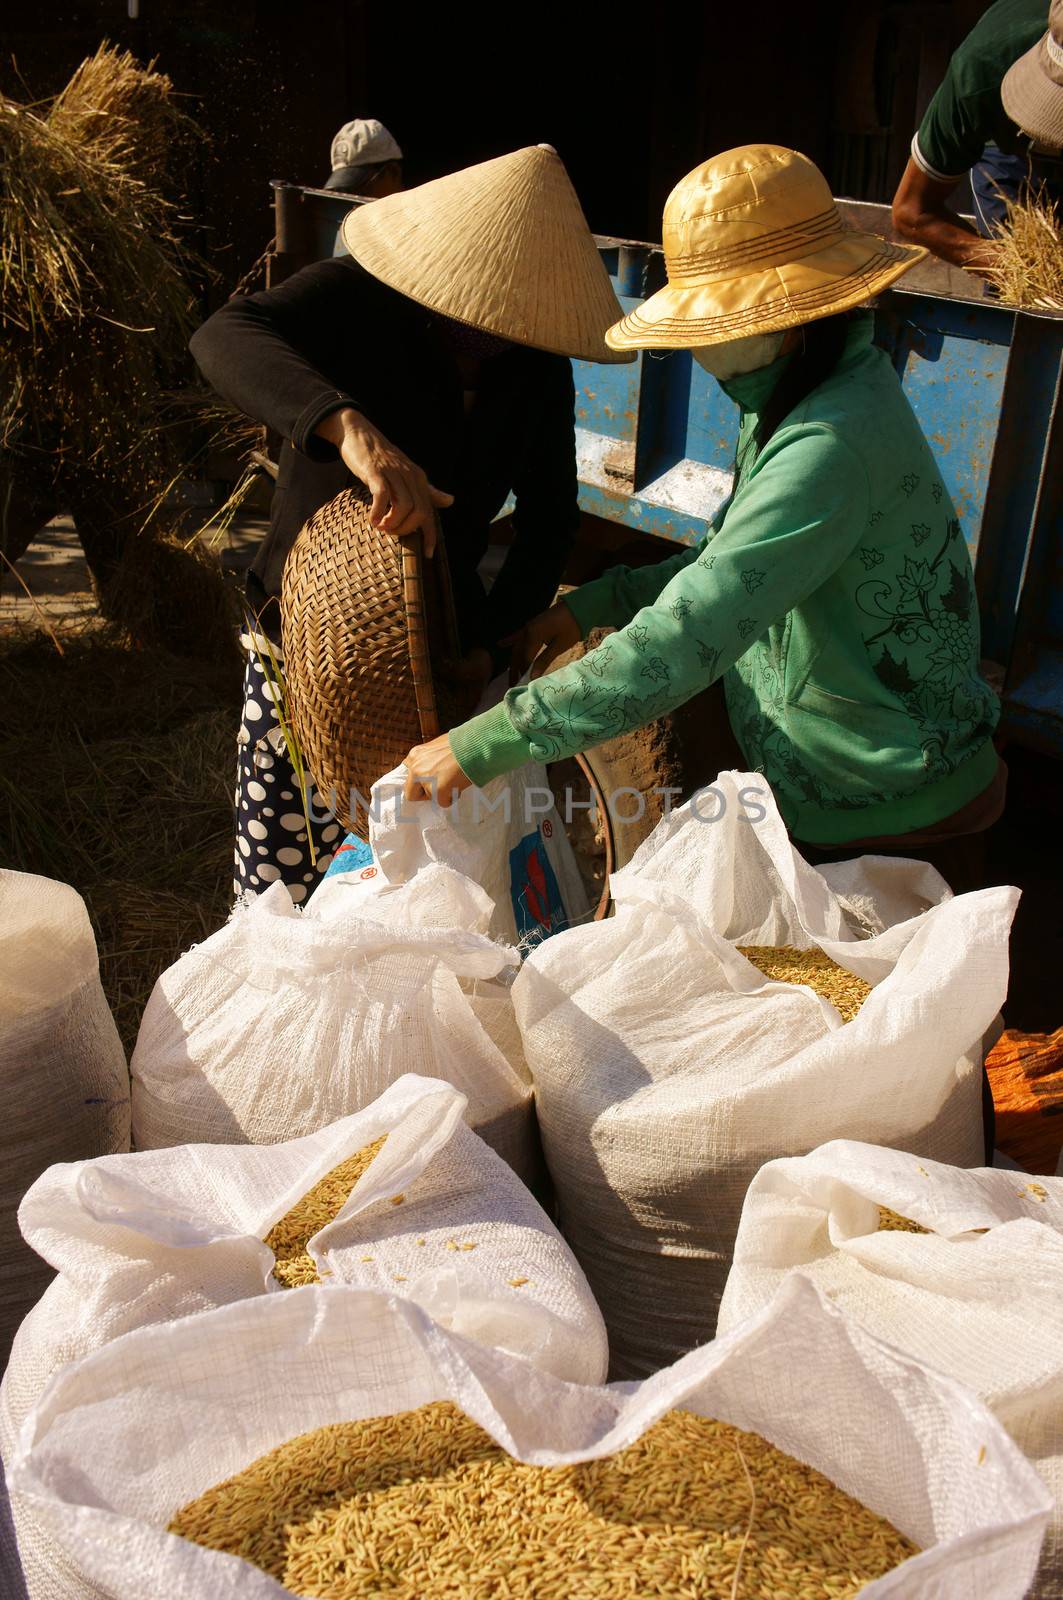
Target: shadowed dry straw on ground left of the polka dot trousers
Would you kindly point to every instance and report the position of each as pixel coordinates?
(116, 775)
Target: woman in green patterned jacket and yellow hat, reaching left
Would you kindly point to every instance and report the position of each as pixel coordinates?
(835, 593)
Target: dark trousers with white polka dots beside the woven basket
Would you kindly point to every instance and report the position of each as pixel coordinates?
(273, 844)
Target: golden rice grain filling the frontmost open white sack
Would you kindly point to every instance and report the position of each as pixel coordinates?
(425, 1505)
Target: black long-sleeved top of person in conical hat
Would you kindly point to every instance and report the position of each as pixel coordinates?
(335, 337)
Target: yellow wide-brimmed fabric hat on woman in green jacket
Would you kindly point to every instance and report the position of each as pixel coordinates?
(753, 244)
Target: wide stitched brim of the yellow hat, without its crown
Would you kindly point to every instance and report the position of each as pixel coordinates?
(851, 271)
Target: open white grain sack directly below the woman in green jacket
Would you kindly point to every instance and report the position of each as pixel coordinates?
(668, 1070)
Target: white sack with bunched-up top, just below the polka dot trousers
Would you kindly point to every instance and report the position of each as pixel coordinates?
(281, 1023)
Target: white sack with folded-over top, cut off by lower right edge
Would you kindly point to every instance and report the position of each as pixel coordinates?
(982, 1308)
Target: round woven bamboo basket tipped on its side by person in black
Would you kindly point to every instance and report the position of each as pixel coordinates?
(364, 617)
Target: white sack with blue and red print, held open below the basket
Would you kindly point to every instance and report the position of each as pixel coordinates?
(507, 838)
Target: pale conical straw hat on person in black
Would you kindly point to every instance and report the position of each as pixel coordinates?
(502, 247)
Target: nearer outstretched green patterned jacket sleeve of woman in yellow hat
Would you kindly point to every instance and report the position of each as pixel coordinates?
(796, 519)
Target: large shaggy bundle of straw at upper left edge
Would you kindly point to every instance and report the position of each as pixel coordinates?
(95, 313)
